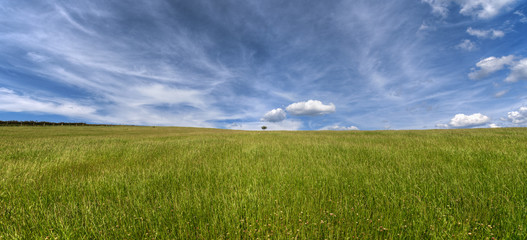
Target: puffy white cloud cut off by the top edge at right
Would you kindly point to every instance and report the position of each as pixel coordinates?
(482, 9)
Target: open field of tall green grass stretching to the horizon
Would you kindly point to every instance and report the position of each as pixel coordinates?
(181, 183)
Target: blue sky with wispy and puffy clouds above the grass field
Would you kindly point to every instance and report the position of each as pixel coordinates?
(289, 65)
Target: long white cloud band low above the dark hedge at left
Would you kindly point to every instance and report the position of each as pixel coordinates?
(12, 102)
